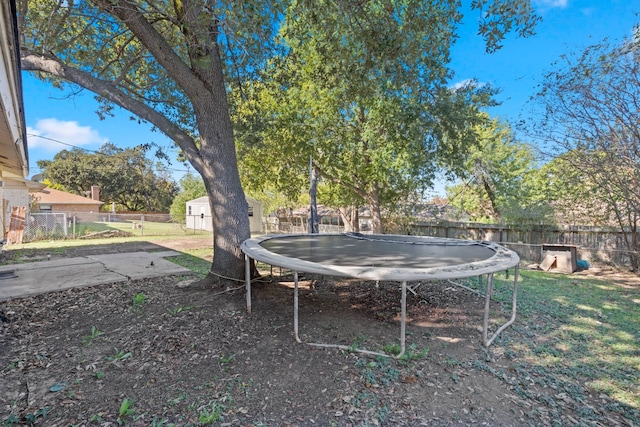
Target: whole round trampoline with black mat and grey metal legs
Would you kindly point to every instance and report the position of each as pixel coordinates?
(397, 258)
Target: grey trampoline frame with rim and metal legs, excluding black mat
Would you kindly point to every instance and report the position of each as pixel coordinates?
(251, 251)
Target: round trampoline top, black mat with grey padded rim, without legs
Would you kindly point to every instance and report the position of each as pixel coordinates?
(382, 256)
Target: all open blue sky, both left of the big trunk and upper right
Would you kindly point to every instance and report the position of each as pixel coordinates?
(567, 26)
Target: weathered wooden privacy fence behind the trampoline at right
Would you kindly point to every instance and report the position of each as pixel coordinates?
(598, 245)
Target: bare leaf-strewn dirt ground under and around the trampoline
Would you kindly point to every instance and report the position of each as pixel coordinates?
(166, 351)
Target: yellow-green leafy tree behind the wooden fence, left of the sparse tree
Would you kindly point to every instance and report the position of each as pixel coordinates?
(498, 178)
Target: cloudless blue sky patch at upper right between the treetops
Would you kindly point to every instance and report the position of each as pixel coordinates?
(567, 26)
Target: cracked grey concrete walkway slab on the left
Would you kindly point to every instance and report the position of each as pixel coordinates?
(20, 280)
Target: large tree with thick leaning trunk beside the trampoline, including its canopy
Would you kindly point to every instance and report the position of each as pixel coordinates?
(168, 63)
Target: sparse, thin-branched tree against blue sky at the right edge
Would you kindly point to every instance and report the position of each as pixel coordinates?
(588, 111)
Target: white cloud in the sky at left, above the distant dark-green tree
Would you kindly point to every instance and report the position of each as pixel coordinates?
(56, 135)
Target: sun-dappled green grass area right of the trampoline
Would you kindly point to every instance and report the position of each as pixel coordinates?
(575, 337)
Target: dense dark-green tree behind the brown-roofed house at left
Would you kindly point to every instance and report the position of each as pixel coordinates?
(125, 177)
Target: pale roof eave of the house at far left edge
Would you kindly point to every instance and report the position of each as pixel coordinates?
(14, 157)
